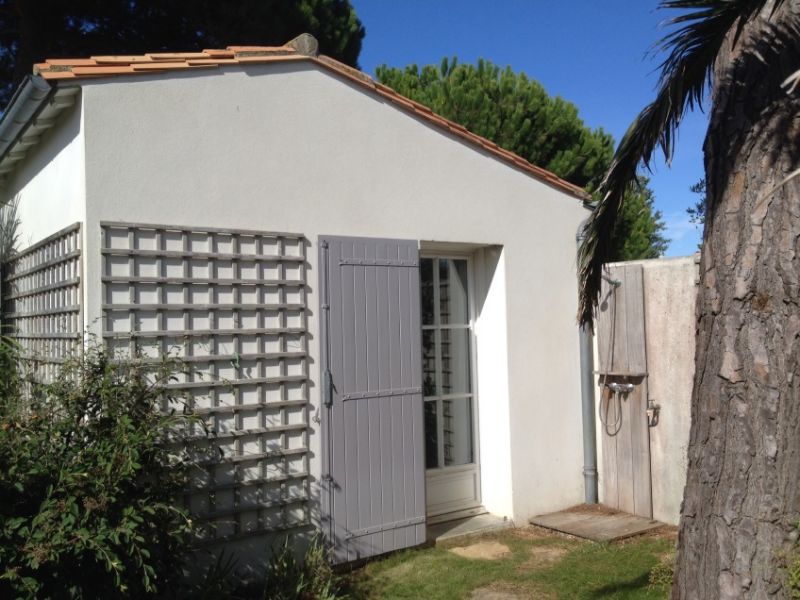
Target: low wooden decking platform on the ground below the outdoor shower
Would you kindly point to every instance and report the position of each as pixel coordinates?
(599, 525)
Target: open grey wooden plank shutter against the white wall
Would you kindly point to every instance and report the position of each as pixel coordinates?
(373, 465)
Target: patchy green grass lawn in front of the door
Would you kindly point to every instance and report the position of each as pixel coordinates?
(536, 565)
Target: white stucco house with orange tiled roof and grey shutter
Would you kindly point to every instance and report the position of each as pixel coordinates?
(382, 303)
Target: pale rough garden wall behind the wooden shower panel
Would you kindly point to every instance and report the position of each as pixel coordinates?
(670, 293)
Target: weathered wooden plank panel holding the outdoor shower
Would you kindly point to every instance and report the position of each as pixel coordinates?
(622, 375)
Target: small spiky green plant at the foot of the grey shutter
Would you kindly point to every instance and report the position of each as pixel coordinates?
(312, 578)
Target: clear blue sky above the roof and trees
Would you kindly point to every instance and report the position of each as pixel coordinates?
(593, 53)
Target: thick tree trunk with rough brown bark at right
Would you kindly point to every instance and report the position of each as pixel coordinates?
(741, 505)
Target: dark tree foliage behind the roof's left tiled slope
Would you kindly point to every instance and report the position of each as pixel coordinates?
(32, 30)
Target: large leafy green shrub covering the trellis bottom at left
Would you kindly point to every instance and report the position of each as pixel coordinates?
(88, 488)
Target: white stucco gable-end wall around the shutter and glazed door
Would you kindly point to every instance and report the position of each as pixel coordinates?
(293, 148)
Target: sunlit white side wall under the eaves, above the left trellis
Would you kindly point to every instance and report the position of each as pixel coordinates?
(50, 180)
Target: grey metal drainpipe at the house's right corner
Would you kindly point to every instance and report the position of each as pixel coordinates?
(587, 405)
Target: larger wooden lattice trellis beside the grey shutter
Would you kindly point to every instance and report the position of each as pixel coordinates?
(231, 306)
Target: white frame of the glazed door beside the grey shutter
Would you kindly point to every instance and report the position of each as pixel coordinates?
(473, 366)
